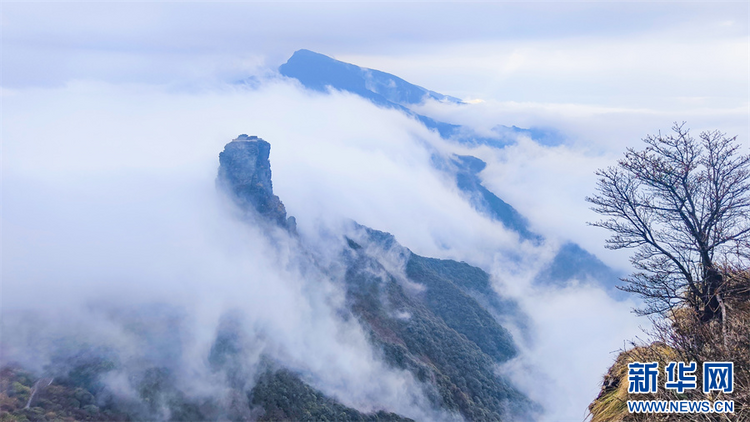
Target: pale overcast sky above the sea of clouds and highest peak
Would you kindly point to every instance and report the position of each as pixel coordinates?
(620, 54)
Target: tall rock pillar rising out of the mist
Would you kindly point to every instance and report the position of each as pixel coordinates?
(246, 172)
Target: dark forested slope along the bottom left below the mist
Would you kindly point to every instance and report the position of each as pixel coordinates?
(279, 395)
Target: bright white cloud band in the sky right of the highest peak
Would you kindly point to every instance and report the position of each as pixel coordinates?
(649, 70)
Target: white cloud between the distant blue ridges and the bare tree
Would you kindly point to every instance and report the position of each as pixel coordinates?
(548, 184)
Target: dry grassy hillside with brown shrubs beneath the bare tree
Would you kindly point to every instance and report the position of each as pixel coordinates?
(685, 339)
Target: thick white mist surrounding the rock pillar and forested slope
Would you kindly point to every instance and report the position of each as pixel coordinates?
(111, 208)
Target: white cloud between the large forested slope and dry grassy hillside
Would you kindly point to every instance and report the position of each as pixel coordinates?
(577, 335)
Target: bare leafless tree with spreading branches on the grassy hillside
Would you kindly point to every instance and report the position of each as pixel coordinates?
(684, 205)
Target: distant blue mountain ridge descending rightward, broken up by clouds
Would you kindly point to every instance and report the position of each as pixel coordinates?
(572, 263)
